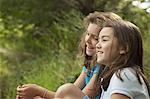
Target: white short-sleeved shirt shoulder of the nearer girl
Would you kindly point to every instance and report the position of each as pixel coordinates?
(129, 85)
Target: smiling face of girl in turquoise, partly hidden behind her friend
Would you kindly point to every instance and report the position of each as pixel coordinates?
(91, 38)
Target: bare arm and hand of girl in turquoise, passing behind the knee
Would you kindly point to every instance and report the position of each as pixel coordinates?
(33, 90)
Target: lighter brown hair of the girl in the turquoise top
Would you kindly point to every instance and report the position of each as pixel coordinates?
(97, 18)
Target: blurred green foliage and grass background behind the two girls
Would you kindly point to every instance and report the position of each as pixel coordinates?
(39, 39)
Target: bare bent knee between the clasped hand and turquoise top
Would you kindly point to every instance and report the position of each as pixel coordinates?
(63, 90)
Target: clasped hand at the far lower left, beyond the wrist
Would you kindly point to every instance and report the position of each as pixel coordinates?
(29, 90)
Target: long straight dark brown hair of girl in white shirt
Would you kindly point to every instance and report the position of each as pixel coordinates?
(129, 37)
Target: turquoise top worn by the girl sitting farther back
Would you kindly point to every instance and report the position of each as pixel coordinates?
(89, 73)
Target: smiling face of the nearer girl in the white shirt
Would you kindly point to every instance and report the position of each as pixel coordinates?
(107, 47)
